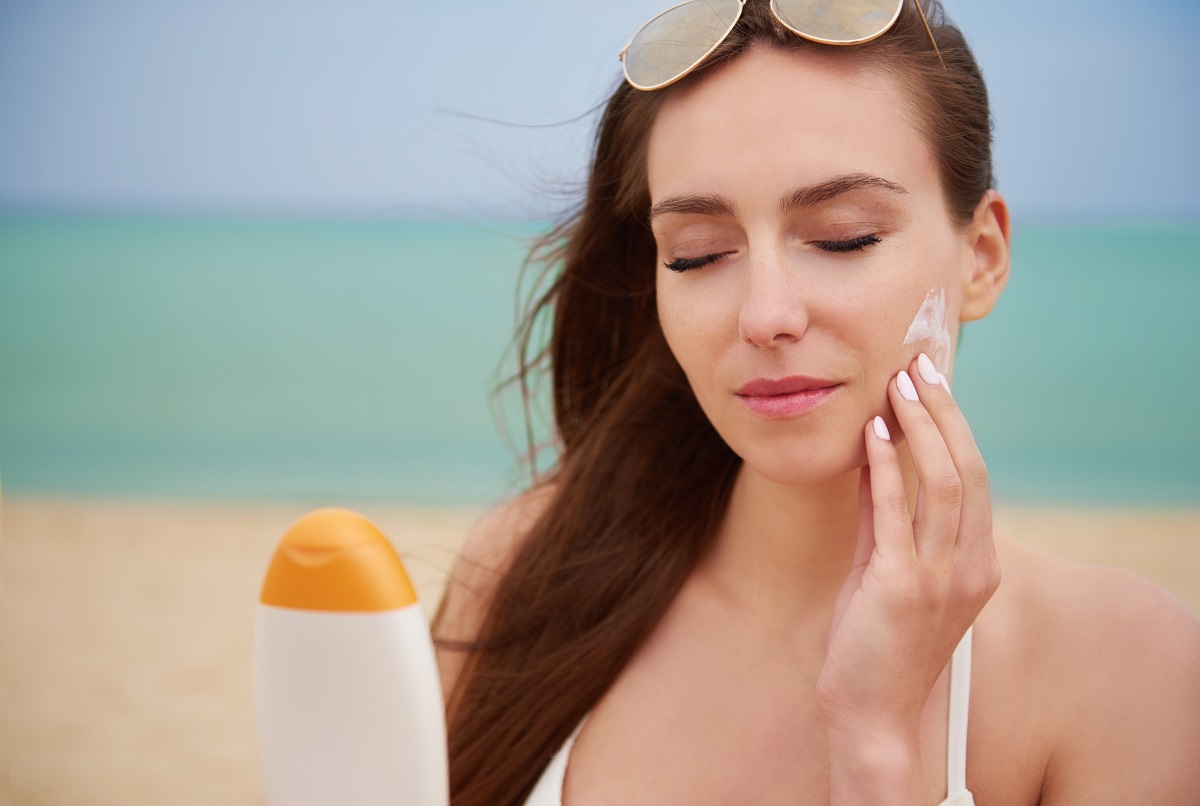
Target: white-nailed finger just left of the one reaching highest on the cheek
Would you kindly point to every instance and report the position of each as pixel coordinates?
(940, 495)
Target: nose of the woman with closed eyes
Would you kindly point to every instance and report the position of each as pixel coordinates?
(773, 306)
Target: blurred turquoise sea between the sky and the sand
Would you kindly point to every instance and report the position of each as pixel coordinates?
(340, 362)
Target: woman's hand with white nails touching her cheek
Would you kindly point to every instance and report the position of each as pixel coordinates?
(920, 580)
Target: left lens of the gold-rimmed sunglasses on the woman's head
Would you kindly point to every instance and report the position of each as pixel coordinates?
(668, 47)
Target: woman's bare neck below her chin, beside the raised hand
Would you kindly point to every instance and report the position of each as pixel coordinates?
(788, 550)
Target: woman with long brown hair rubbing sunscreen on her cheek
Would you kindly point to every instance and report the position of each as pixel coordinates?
(770, 531)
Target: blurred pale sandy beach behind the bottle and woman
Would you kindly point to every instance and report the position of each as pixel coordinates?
(129, 630)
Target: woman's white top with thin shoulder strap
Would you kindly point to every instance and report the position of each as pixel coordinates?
(549, 791)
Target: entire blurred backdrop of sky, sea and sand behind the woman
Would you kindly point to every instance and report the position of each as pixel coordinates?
(260, 257)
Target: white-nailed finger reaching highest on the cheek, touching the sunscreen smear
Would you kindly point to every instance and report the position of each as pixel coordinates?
(975, 520)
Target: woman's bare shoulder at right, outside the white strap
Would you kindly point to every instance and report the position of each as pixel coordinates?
(1112, 665)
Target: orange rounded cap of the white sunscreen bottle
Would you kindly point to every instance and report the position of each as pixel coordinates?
(337, 561)
